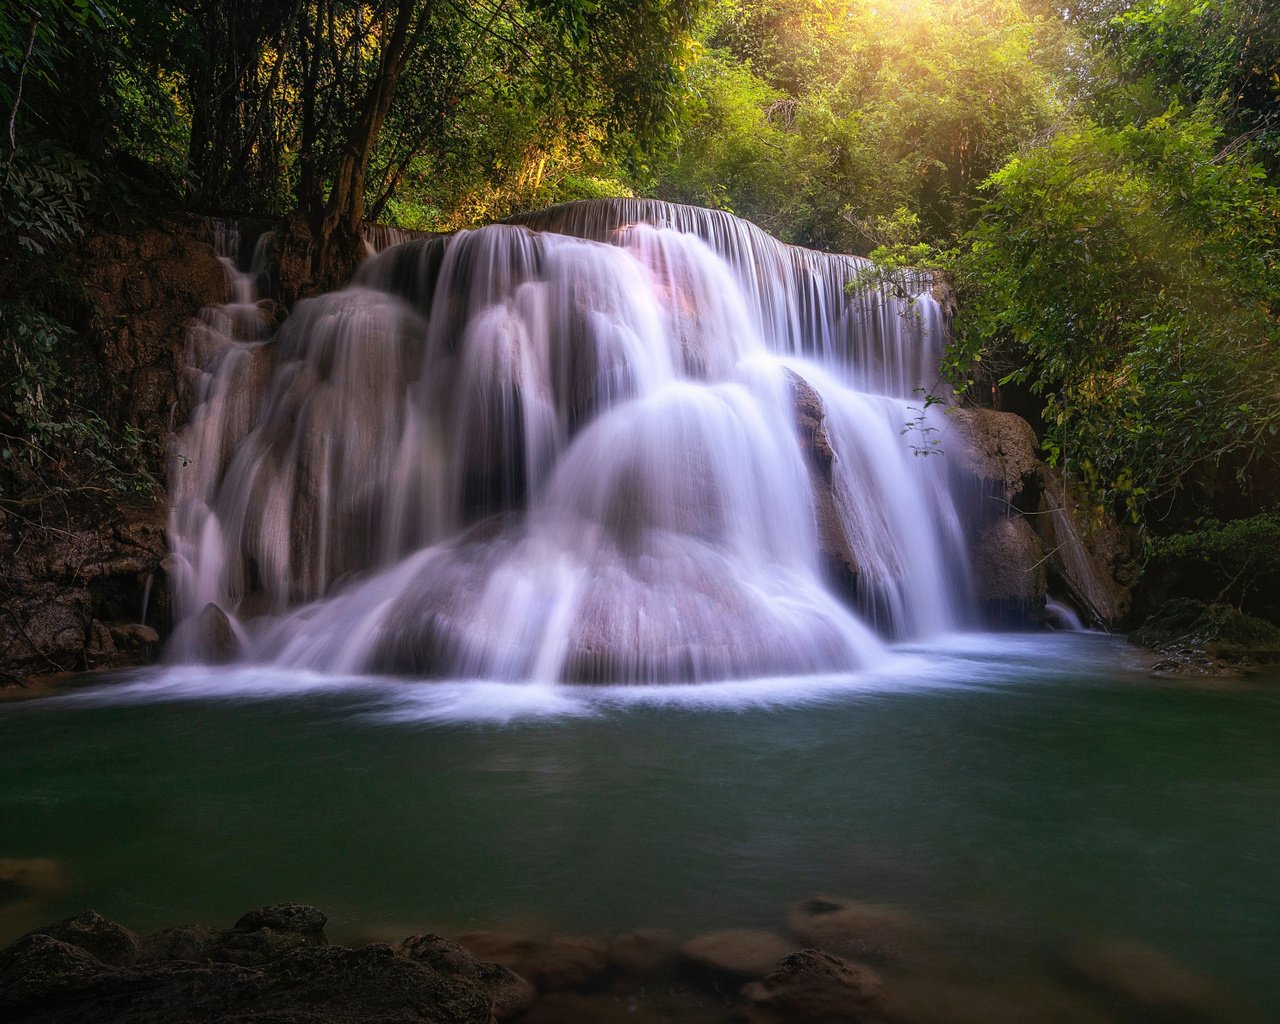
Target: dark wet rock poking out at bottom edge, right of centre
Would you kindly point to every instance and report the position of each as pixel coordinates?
(815, 986)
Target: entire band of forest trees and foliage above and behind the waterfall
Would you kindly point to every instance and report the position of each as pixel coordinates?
(1098, 180)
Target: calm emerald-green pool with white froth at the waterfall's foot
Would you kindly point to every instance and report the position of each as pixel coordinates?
(1027, 790)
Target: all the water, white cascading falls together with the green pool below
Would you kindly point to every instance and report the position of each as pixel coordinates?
(582, 575)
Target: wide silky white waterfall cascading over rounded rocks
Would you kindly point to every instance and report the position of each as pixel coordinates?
(614, 442)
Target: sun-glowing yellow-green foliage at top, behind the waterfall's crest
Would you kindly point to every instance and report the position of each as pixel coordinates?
(816, 121)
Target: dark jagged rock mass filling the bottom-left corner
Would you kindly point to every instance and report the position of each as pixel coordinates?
(276, 964)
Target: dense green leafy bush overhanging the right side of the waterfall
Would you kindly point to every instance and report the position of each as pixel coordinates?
(1131, 278)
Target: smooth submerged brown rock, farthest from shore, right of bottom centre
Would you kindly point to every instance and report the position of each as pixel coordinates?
(852, 929)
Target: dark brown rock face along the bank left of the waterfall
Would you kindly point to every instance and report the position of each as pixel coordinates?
(75, 578)
